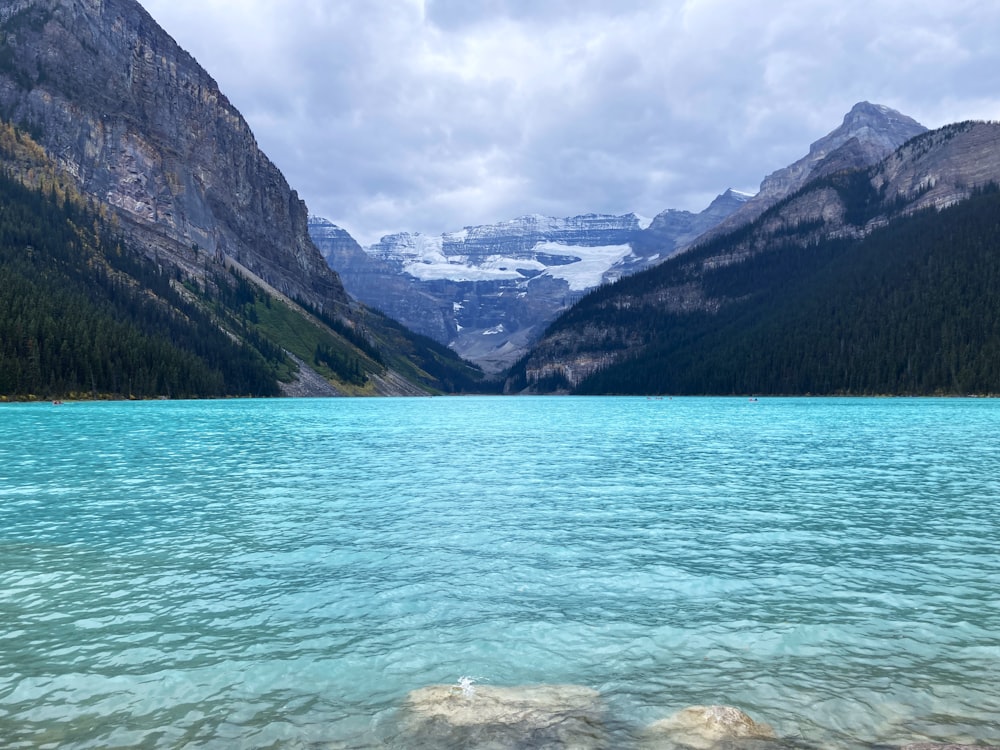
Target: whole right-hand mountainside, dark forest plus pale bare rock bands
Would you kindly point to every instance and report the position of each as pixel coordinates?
(872, 281)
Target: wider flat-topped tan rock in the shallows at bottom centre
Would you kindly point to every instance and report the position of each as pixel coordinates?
(484, 716)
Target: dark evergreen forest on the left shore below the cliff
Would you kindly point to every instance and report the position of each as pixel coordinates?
(82, 314)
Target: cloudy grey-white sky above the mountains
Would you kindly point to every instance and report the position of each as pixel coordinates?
(430, 115)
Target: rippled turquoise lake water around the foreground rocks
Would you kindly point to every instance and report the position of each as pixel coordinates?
(272, 574)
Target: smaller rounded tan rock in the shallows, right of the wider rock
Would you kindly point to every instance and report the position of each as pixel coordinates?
(705, 727)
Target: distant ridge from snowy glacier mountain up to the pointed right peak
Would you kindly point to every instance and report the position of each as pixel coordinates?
(465, 294)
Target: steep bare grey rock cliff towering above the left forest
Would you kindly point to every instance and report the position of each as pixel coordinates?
(131, 121)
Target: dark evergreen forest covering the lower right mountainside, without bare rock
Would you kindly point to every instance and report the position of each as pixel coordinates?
(911, 309)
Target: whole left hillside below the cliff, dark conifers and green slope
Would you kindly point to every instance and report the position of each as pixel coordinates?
(85, 315)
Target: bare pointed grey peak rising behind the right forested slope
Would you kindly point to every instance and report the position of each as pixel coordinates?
(869, 133)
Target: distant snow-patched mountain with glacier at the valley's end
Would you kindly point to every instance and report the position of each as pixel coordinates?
(489, 291)
